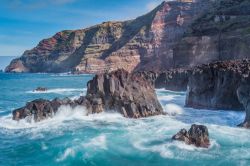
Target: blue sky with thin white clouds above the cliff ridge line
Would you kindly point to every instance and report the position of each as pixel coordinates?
(23, 23)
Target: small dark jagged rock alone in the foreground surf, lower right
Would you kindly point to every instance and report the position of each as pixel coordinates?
(197, 135)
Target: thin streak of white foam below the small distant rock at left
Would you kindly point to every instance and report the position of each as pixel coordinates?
(58, 91)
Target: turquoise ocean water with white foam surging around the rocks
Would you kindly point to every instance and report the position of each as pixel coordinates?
(108, 139)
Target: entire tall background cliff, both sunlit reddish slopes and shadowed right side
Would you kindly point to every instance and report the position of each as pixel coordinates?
(175, 34)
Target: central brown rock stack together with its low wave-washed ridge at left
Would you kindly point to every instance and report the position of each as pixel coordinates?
(129, 94)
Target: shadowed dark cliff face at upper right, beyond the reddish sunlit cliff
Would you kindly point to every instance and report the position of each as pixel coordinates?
(222, 33)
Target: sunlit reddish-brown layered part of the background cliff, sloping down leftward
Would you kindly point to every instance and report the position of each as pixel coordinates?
(145, 43)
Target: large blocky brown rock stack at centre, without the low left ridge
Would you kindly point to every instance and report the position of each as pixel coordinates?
(130, 94)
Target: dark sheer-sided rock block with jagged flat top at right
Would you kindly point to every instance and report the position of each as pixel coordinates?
(214, 86)
